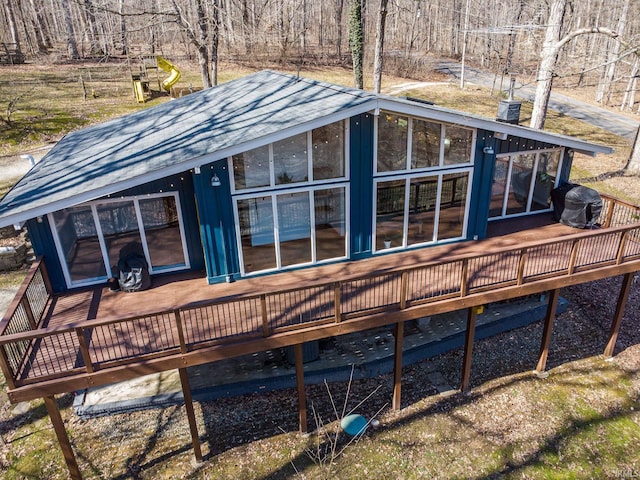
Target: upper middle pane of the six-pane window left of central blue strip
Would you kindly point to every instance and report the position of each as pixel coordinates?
(290, 160)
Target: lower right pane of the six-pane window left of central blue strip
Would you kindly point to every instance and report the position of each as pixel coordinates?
(330, 225)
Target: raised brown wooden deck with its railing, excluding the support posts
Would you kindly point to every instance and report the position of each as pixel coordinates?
(95, 336)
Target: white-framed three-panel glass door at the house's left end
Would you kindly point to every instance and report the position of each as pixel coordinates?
(91, 238)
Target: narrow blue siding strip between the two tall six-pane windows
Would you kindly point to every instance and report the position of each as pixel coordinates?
(361, 175)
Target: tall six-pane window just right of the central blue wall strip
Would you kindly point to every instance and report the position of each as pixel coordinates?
(422, 183)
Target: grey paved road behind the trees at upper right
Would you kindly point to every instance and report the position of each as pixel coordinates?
(611, 121)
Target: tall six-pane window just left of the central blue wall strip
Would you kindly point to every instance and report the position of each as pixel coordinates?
(297, 212)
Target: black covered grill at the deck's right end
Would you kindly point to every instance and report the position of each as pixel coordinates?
(576, 206)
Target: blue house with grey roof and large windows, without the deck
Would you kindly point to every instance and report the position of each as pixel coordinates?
(274, 172)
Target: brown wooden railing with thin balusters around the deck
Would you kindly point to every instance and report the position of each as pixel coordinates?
(30, 354)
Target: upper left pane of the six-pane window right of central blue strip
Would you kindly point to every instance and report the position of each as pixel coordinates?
(392, 142)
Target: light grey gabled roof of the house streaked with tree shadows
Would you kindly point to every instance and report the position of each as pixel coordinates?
(203, 127)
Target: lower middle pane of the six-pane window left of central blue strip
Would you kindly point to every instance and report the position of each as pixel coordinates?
(294, 228)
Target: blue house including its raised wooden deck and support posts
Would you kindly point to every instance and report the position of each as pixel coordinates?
(275, 210)
